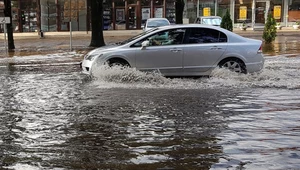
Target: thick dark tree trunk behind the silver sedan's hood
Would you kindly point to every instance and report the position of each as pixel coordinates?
(97, 23)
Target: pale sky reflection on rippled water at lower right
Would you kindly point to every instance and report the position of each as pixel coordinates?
(264, 135)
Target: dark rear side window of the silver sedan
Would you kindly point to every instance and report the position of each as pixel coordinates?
(206, 35)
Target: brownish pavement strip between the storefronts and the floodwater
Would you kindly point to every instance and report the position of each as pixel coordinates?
(31, 43)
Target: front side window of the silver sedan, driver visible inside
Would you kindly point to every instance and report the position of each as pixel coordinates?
(169, 37)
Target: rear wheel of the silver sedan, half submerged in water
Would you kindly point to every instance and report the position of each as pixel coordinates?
(234, 64)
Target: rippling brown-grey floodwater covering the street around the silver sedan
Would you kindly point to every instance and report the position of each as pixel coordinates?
(53, 117)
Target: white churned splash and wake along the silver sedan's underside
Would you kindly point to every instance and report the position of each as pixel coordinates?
(279, 72)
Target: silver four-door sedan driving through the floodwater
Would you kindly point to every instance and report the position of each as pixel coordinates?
(181, 50)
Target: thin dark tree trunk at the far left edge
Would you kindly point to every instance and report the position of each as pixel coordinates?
(7, 13)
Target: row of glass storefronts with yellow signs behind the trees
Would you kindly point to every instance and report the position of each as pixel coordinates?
(56, 15)
